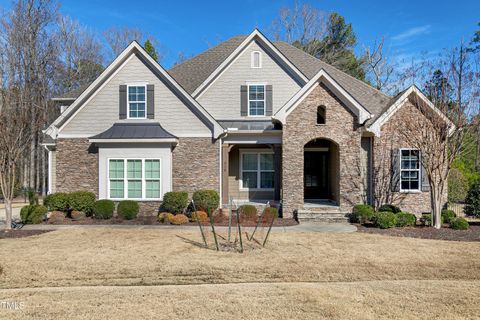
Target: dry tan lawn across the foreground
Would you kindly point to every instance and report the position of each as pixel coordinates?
(163, 274)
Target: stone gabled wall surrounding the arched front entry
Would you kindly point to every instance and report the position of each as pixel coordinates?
(301, 127)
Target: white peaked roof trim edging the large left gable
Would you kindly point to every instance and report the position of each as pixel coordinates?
(133, 49)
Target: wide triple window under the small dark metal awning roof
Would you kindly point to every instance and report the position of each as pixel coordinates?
(134, 178)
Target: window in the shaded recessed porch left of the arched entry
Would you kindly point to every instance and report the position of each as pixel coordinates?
(257, 170)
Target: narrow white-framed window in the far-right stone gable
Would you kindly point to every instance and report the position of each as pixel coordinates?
(409, 170)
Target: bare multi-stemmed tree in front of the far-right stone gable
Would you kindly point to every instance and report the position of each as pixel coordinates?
(440, 135)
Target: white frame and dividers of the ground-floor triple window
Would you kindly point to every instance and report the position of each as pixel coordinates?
(125, 179)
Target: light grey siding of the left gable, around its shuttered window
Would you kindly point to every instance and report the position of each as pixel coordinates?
(102, 111)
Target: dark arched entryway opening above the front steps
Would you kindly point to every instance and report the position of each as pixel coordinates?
(321, 171)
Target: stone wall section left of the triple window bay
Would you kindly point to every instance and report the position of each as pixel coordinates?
(76, 166)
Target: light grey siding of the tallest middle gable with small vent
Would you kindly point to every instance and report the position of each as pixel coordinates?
(222, 98)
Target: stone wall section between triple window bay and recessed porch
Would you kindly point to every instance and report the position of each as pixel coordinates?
(196, 165)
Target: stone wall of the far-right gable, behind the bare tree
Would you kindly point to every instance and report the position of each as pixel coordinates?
(390, 138)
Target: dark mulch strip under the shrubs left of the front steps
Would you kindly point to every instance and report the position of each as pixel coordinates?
(219, 221)
